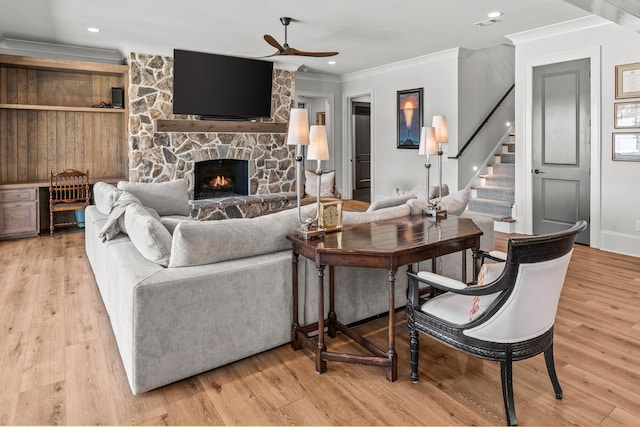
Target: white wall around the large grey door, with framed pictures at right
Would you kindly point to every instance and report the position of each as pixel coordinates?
(615, 190)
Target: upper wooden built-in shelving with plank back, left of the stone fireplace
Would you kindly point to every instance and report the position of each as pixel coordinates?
(49, 119)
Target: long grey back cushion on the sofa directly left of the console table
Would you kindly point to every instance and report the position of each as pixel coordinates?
(207, 242)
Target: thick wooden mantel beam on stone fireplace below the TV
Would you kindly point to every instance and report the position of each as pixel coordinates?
(165, 125)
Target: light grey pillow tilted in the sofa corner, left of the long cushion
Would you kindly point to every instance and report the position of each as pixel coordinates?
(147, 234)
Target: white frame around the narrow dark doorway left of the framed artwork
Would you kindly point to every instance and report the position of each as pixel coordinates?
(348, 140)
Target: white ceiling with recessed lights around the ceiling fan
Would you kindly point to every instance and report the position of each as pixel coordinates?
(367, 33)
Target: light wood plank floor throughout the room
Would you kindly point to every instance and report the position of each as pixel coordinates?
(59, 363)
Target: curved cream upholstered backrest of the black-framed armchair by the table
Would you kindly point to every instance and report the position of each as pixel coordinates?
(534, 275)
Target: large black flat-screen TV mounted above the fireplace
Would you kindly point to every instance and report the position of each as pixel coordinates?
(221, 87)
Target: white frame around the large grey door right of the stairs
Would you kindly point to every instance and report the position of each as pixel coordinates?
(524, 178)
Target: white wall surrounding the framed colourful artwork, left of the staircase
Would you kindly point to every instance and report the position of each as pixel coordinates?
(403, 168)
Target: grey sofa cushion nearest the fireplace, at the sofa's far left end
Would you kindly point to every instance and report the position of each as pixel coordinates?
(167, 198)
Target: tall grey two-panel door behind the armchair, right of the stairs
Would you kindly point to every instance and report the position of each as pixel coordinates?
(561, 146)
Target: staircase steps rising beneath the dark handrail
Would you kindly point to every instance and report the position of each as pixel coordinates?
(495, 196)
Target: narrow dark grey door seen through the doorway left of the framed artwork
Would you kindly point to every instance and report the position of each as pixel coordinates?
(361, 112)
